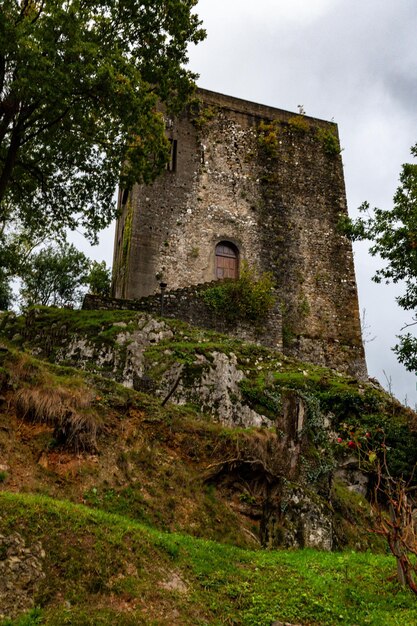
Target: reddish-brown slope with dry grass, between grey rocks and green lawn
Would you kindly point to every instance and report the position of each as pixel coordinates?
(145, 462)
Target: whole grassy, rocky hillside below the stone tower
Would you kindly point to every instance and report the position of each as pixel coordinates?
(114, 476)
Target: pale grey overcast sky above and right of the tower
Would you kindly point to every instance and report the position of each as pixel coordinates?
(351, 61)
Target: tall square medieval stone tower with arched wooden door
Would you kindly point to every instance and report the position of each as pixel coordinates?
(249, 182)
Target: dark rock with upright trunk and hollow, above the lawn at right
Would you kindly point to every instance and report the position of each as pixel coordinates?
(271, 472)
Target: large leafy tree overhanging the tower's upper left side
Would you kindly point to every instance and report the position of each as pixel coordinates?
(81, 83)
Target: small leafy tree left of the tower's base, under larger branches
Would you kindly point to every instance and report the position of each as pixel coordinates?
(54, 277)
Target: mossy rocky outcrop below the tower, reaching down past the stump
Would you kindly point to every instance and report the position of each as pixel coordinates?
(281, 472)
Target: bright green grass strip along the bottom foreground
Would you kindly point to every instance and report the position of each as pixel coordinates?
(97, 563)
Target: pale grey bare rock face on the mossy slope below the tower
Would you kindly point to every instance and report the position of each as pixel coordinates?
(211, 382)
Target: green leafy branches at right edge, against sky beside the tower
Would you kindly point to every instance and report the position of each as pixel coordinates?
(394, 236)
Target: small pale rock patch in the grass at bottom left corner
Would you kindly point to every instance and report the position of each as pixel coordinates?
(20, 574)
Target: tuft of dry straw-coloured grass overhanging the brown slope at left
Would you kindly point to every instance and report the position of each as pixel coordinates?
(75, 424)
